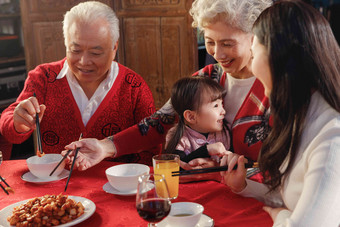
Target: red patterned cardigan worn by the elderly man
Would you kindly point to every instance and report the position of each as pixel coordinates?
(127, 103)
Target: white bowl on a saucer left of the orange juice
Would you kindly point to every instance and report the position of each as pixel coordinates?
(124, 177)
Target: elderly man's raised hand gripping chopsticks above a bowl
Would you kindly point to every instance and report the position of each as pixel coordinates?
(24, 114)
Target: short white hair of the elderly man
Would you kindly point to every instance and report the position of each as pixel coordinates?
(88, 12)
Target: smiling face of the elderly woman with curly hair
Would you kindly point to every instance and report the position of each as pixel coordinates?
(230, 47)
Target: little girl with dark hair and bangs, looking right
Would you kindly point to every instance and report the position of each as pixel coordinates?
(198, 101)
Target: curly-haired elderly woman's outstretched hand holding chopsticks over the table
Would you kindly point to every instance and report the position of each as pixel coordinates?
(91, 152)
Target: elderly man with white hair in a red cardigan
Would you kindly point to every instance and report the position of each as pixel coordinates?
(87, 92)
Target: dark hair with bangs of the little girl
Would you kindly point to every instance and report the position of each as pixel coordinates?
(187, 94)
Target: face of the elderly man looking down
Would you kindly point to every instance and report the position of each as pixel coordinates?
(90, 51)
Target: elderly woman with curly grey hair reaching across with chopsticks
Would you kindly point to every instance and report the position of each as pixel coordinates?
(226, 26)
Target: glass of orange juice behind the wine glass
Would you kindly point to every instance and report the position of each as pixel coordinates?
(165, 164)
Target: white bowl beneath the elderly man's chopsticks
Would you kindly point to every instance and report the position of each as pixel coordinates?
(41, 167)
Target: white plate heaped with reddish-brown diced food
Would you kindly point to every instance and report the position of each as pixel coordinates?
(48, 210)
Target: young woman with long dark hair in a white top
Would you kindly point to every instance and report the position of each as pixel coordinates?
(296, 57)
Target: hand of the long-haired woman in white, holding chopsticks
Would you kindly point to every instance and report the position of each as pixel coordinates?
(234, 179)
